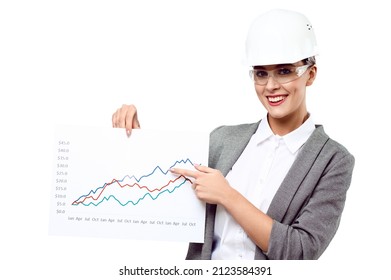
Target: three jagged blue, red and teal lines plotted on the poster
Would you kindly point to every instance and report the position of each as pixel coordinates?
(91, 199)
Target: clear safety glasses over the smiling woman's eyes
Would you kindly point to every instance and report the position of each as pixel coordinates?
(282, 75)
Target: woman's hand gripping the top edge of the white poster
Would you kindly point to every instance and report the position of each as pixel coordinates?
(126, 117)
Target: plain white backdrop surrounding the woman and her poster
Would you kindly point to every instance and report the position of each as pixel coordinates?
(76, 62)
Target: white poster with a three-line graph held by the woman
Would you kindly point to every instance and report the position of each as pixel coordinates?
(106, 184)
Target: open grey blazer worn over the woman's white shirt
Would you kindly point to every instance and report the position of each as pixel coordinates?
(308, 205)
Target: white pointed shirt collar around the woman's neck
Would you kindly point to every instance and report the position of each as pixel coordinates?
(294, 140)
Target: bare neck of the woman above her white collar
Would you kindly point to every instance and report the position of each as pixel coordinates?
(283, 126)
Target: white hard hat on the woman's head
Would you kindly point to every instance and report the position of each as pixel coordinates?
(278, 37)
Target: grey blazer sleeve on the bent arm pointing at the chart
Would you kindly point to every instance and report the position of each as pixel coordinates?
(314, 213)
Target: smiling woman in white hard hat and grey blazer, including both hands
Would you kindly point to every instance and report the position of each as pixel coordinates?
(274, 189)
